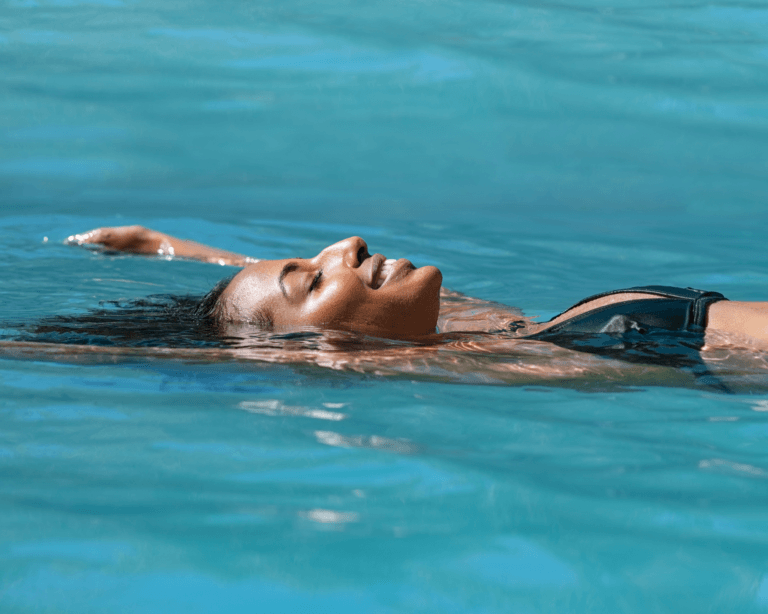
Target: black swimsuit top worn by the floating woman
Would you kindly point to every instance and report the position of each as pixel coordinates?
(665, 331)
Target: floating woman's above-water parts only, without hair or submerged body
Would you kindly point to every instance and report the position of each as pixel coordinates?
(346, 288)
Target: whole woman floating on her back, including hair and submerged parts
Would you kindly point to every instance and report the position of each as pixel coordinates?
(348, 310)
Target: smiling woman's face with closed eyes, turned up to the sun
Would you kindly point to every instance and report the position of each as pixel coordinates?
(343, 287)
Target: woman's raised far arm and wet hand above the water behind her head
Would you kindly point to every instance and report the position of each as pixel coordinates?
(140, 240)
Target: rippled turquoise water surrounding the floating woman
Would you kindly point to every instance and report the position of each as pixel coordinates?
(534, 152)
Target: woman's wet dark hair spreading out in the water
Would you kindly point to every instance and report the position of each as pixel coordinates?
(158, 320)
